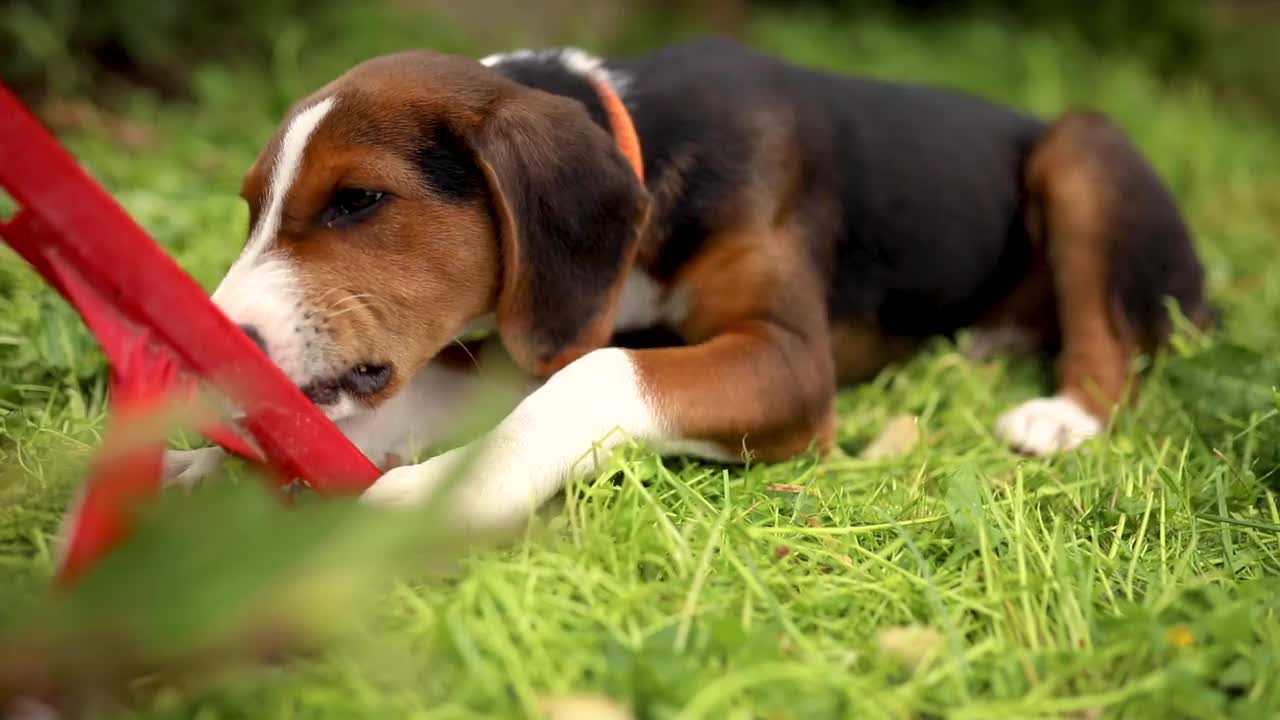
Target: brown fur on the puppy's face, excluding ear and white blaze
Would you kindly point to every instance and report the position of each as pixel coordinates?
(444, 274)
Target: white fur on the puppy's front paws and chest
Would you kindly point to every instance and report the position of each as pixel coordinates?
(560, 430)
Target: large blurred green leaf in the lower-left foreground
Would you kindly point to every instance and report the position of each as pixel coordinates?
(211, 580)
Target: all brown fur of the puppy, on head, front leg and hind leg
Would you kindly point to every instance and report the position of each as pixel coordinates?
(762, 362)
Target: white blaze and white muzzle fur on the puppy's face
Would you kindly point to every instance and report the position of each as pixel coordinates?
(264, 290)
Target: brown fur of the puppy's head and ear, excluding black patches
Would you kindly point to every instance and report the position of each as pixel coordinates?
(426, 263)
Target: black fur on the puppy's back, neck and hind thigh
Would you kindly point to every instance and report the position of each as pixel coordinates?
(929, 185)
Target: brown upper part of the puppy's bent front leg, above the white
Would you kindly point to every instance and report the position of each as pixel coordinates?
(758, 327)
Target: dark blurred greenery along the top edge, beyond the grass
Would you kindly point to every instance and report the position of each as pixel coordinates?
(65, 48)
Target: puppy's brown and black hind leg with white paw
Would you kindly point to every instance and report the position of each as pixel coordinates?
(1117, 249)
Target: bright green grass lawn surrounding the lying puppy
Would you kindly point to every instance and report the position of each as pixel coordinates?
(1136, 578)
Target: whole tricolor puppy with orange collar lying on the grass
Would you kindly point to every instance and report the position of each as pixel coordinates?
(793, 231)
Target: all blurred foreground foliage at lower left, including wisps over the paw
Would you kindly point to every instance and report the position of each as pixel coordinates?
(223, 575)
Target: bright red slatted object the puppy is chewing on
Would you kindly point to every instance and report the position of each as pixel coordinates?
(163, 338)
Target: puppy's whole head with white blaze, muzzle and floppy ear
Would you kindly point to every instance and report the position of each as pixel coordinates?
(415, 197)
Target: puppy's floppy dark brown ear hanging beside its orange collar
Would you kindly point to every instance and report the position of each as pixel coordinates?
(569, 212)
